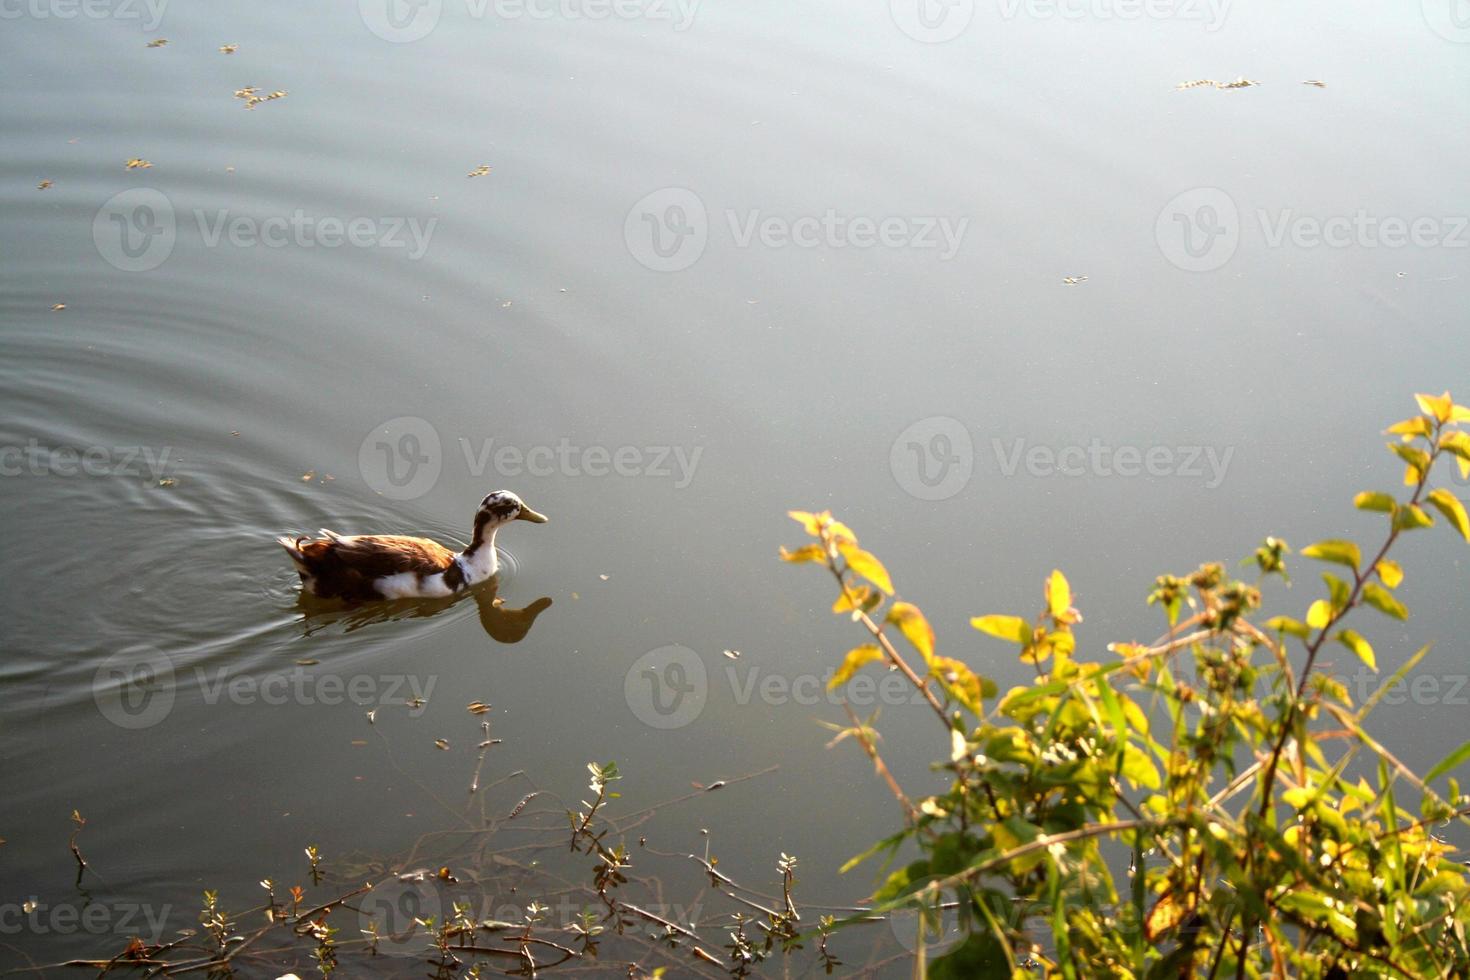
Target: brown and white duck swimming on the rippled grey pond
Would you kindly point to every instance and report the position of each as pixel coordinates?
(361, 568)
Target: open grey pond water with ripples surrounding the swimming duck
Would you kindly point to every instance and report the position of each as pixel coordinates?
(981, 280)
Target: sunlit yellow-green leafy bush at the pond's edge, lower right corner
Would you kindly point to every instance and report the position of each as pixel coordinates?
(1263, 829)
